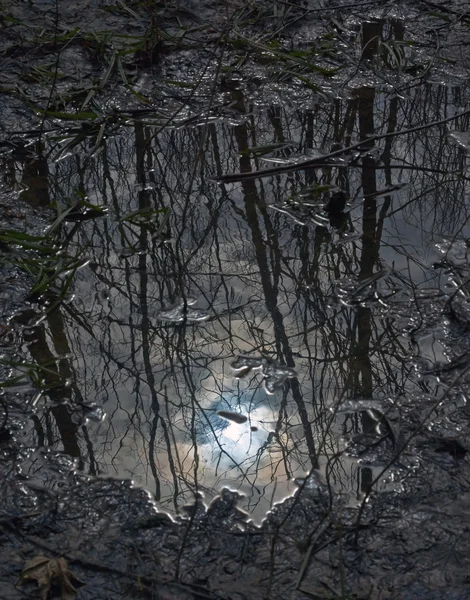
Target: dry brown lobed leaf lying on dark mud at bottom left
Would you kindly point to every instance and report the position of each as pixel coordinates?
(49, 572)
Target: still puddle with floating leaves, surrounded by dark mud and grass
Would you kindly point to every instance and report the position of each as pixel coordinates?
(315, 311)
